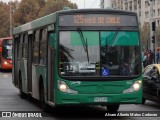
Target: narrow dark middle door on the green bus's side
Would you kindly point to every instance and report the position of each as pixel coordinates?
(29, 63)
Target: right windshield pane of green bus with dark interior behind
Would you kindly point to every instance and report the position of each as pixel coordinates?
(119, 52)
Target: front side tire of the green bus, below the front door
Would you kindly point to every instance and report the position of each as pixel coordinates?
(44, 106)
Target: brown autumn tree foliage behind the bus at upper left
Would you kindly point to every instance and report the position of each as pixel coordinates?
(26, 11)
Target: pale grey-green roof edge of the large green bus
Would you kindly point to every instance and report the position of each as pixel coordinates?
(51, 18)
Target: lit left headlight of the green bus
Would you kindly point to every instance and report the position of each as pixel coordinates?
(63, 87)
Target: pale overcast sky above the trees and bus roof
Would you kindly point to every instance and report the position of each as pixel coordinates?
(81, 3)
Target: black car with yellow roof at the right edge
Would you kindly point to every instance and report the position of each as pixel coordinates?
(151, 83)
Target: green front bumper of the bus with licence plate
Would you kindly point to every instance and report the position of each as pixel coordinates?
(99, 99)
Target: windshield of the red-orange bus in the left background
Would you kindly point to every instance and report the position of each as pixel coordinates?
(7, 49)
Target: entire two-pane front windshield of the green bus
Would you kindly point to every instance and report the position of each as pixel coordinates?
(110, 53)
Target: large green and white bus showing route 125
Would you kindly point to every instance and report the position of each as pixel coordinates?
(77, 57)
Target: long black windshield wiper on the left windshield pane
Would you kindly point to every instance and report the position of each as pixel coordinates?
(84, 43)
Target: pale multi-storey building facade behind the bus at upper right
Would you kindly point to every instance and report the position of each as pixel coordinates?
(142, 7)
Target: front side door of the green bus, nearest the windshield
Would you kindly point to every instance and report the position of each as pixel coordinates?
(50, 68)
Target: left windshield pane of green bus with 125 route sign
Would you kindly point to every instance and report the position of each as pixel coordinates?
(77, 59)
